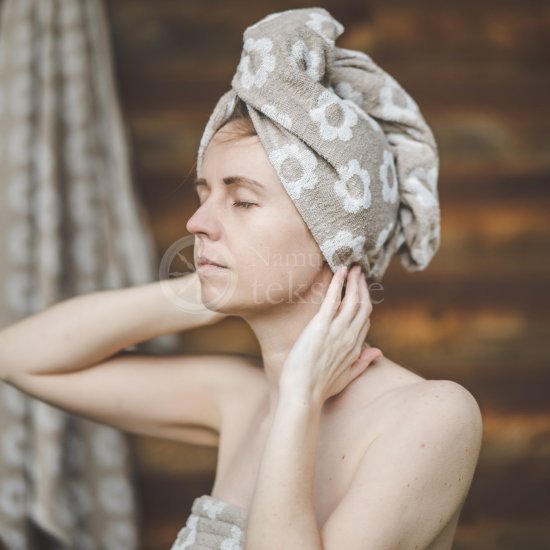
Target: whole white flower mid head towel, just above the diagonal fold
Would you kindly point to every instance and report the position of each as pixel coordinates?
(326, 104)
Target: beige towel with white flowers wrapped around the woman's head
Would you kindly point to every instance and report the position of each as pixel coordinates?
(349, 145)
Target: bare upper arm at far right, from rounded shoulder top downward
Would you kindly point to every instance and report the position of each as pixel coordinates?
(413, 479)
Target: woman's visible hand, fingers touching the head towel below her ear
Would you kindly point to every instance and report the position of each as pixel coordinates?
(331, 350)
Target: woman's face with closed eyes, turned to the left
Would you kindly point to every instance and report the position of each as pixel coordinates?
(252, 229)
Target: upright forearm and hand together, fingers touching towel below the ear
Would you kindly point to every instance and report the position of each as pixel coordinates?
(282, 512)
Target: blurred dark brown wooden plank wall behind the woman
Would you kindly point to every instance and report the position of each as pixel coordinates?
(479, 314)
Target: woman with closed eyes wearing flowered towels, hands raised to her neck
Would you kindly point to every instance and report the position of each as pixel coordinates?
(327, 445)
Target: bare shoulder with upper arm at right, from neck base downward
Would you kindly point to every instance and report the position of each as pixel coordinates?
(415, 465)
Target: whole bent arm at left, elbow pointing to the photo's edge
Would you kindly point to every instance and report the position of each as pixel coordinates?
(49, 357)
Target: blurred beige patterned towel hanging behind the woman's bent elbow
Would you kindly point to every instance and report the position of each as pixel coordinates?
(70, 223)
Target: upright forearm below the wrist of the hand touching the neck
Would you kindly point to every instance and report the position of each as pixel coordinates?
(282, 513)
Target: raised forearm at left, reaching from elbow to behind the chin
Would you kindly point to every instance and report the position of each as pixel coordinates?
(83, 330)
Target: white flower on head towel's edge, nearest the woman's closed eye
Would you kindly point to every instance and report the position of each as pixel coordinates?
(307, 163)
